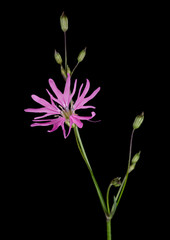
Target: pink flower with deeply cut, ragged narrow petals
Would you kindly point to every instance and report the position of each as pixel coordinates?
(62, 107)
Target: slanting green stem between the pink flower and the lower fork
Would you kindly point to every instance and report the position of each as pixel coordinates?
(83, 153)
